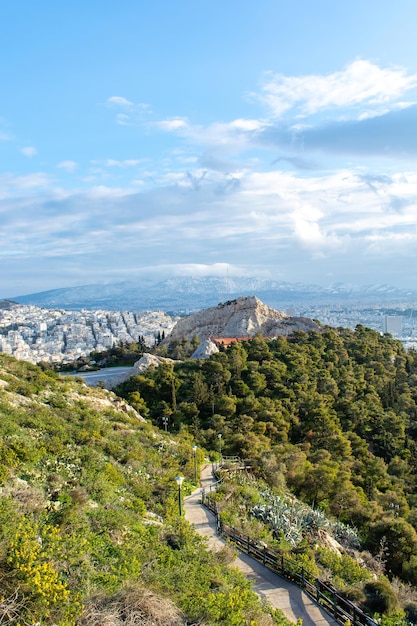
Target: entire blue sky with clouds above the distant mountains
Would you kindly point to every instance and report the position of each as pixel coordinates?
(142, 139)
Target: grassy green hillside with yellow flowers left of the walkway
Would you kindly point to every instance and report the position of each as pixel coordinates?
(89, 525)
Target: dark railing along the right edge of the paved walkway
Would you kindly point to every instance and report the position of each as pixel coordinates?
(322, 592)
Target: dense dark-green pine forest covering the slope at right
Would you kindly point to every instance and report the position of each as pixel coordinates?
(328, 417)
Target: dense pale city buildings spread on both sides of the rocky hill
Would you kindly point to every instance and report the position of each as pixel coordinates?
(38, 334)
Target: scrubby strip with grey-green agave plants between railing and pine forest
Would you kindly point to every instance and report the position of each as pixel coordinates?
(305, 537)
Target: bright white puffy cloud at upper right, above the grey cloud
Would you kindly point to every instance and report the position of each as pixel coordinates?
(360, 83)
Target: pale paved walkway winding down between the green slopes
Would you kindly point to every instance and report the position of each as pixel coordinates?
(279, 592)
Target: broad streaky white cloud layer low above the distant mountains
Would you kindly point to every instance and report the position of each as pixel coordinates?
(293, 225)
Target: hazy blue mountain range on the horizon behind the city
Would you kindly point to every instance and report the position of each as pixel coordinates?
(186, 294)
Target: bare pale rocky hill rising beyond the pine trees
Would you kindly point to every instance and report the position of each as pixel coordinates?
(243, 317)
